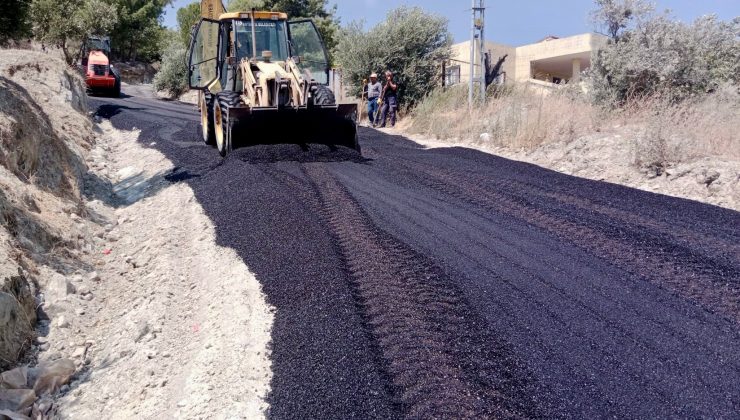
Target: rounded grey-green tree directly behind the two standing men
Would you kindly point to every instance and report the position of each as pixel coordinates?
(411, 43)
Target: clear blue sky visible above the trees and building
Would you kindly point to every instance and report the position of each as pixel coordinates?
(509, 22)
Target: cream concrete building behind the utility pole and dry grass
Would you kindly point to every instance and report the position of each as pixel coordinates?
(552, 61)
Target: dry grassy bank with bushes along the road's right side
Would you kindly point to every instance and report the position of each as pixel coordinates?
(658, 109)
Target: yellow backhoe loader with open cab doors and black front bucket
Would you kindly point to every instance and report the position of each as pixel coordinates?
(263, 80)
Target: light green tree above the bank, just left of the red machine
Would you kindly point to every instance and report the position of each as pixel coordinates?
(67, 23)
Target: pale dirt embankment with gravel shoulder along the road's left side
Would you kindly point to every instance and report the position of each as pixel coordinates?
(114, 298)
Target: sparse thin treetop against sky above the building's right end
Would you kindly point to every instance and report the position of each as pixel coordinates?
(614, 16)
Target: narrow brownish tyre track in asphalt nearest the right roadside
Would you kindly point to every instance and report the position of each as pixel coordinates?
(707, 281)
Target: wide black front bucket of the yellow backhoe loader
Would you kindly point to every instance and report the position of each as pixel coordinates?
(330, 125)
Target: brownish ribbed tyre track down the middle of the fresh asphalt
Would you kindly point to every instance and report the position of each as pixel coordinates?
(439, 356)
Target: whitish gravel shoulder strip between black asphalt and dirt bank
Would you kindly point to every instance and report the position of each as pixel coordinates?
(175, 321)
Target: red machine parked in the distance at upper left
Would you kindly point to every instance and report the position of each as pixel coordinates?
(100, 76)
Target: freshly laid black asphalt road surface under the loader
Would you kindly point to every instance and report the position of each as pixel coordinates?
(449, 283)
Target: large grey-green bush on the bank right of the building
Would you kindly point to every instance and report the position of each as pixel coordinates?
(658, 54)
